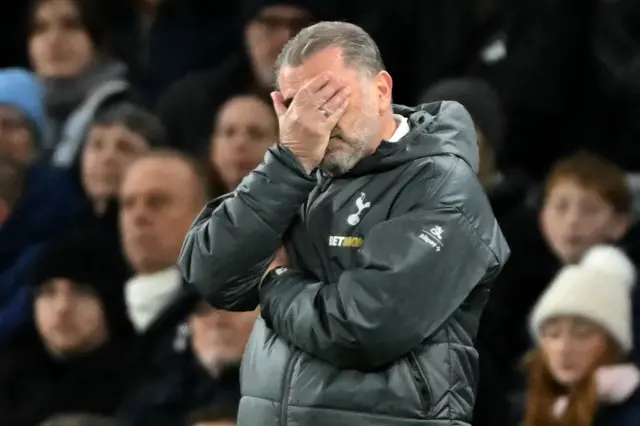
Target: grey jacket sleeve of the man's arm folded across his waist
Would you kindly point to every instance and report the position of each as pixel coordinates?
(412, 272)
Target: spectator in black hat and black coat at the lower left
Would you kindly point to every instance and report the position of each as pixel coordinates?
(77, 358)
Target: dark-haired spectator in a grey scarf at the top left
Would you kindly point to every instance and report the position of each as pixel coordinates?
(68, 50)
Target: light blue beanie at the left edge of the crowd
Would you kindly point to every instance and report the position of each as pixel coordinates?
(22, 90)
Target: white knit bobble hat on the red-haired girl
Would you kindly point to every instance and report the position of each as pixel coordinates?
(597, 289)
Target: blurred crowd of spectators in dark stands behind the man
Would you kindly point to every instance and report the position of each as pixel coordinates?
(119, 119)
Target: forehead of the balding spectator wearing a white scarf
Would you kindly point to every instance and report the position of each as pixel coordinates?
(161, 174)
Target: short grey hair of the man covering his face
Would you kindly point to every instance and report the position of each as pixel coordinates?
(358, 48)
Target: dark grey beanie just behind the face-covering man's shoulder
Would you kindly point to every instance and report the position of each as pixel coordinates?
(479, 99)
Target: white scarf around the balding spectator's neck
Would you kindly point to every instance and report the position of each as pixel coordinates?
(148, 295)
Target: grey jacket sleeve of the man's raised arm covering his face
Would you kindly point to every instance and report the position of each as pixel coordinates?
(233, 240)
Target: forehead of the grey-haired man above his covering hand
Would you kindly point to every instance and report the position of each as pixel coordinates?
(328, 60)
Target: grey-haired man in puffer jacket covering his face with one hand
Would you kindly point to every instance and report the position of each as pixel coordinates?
(370, 308)
